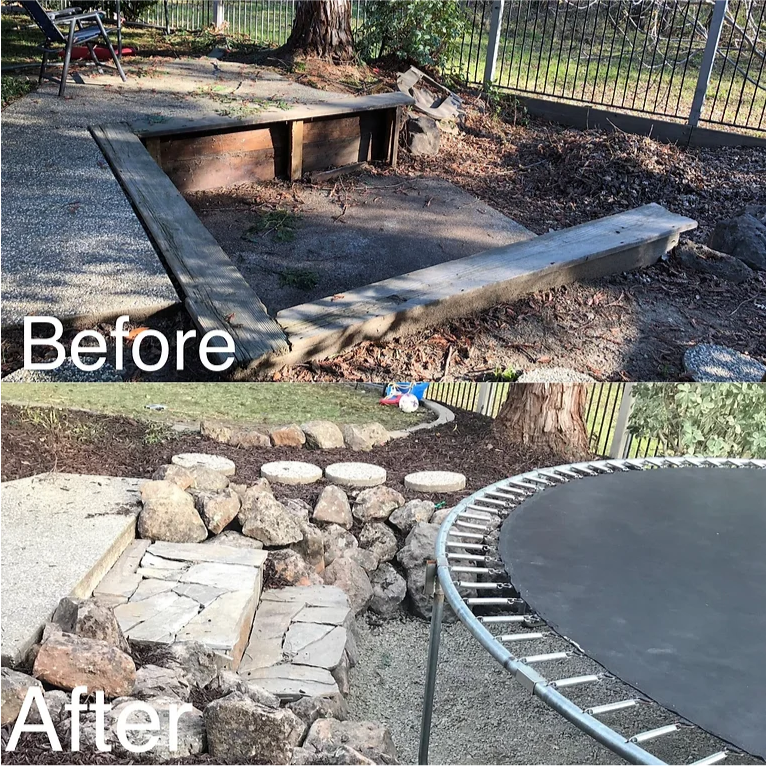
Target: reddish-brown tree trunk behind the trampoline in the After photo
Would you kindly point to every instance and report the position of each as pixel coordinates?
(546, 416)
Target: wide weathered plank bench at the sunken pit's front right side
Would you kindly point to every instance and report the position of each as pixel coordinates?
(403, 304)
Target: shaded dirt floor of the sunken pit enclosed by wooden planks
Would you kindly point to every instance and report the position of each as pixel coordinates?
(296, 243)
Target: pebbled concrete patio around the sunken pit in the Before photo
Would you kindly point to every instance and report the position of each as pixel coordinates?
(72, 245)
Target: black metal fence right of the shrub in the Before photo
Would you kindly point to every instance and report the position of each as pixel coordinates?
(698, 60)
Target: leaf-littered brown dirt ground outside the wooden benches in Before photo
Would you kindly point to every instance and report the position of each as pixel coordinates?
(627, 327)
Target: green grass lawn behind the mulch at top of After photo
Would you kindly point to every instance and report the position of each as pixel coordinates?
(256, 403)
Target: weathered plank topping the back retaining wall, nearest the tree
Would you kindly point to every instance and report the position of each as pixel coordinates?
(341, 106)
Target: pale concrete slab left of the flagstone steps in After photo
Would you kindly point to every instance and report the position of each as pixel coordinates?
(61, 534)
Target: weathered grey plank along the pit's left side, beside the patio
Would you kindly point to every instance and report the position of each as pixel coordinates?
(217, 295)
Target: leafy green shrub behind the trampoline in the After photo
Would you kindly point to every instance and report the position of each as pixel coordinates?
(704, 419)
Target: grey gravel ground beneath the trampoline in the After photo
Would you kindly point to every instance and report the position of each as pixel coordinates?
(481, 716)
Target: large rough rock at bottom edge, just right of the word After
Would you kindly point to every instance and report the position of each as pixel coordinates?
(240, 728)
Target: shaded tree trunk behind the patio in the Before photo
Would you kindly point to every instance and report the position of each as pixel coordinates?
(323, 28)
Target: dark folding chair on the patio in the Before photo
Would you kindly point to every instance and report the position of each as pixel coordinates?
(78, 29)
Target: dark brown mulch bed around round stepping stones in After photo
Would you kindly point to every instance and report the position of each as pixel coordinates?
(112, 446)
